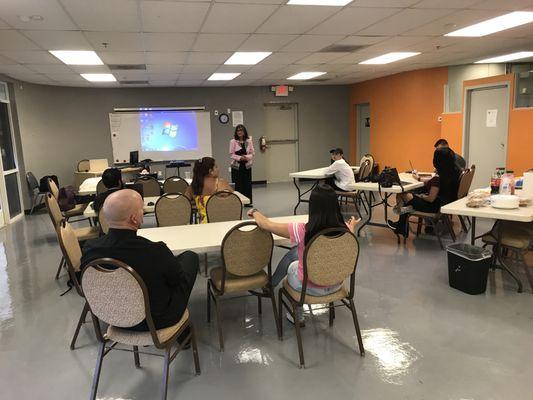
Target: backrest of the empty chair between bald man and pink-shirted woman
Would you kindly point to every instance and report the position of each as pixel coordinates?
(247, 249)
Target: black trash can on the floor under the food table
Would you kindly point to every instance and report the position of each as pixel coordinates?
(468, 267)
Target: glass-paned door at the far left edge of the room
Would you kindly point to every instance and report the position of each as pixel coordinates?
(10, 185)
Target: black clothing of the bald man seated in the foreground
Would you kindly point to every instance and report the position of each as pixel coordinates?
(168, 287)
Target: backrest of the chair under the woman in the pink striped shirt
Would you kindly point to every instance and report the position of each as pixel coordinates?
(330, 257)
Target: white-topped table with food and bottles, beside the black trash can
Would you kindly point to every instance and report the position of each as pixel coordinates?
(521, 214)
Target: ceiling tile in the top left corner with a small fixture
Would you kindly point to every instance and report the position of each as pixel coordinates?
(53, 15)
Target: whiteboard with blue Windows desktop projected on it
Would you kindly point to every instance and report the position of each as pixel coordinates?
(160, 135)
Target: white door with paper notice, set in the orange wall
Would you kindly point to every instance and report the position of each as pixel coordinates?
(486, 128)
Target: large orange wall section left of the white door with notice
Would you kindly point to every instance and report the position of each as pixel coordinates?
(404, 111)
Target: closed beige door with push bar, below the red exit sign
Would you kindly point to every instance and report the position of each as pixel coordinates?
(281, 132)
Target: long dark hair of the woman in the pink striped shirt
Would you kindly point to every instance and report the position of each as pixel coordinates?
(324, 211)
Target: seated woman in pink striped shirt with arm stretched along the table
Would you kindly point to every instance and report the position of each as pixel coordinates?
(324, 212)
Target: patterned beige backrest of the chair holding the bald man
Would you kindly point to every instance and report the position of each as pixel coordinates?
(114, 292)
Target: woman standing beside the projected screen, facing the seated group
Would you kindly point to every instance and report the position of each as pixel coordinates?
(241, 150)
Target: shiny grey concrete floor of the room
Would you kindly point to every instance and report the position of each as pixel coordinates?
(423, 339)
